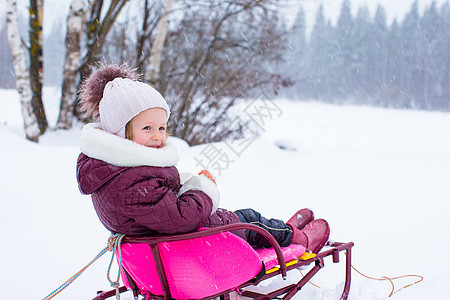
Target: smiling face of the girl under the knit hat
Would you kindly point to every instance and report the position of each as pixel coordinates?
(148, 128)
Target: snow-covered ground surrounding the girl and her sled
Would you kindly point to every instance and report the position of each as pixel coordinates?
(380, 177)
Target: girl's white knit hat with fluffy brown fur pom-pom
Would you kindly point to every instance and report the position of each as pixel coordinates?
(117, 97)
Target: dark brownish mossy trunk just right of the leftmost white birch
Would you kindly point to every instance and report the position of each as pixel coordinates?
(36, 69)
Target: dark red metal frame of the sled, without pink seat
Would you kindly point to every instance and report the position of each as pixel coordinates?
(288, 291)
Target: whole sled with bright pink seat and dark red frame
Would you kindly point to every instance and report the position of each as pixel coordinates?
(214, 262)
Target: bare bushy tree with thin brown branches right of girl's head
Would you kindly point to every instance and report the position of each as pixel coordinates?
(220, 53)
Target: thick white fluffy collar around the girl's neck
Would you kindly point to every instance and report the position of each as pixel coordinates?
(121, 152)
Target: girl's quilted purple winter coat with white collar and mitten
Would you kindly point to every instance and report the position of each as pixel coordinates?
(136, 190)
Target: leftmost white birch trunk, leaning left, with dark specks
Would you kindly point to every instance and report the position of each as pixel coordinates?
(22, 73)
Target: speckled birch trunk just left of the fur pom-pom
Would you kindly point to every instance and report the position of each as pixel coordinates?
(71, 65)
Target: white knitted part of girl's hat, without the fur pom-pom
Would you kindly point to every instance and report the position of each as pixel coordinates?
(123, 99)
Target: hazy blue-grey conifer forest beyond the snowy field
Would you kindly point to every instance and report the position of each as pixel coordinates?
(364, 60)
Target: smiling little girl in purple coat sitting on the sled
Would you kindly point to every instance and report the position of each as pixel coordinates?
(127, 165)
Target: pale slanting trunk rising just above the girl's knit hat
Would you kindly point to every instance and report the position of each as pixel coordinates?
(156, 51)
